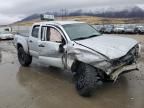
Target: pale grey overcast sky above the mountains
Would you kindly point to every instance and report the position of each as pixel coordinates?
(13, 10)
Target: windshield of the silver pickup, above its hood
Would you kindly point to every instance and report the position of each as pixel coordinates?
(80, 31)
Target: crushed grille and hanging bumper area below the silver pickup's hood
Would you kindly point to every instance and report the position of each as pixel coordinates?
(126, 63)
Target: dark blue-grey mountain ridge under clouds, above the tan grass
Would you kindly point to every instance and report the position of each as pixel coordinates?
(134, 12)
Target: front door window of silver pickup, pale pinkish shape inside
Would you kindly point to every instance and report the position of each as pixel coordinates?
(50, 34)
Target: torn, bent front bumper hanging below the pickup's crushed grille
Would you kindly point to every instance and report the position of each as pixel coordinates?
(124, 69)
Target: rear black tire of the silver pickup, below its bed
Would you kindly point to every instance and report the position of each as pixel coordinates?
(24, 59)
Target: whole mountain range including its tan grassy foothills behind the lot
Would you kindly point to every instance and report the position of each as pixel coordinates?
(130, 15)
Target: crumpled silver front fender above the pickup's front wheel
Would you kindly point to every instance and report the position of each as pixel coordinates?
(83, 55)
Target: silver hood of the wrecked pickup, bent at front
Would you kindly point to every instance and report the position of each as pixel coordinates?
(111, 46)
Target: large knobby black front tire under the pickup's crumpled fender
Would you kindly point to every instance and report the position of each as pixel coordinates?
(86, 80)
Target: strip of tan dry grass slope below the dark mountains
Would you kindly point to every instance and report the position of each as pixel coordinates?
(90, 20)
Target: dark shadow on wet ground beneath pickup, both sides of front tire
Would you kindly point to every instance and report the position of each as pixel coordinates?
(45, 77)
